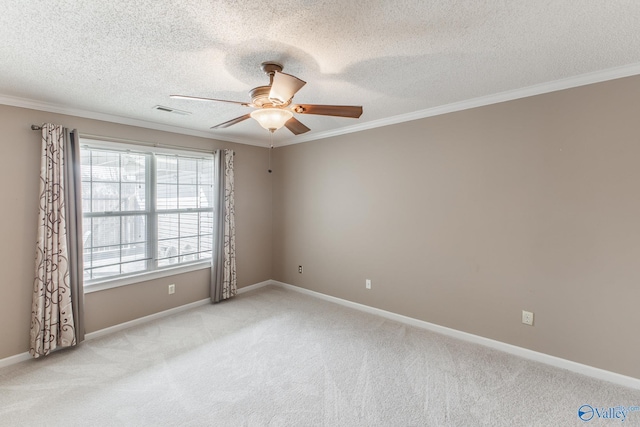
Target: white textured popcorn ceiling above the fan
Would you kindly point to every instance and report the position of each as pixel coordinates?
(122, 57)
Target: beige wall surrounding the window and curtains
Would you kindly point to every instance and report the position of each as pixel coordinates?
(19, 170)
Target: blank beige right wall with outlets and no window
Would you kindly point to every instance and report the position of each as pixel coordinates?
(468, 218)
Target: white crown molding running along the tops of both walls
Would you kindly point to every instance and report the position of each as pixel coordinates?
(539, 89)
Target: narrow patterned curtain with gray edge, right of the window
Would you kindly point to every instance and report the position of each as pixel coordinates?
(223, 271)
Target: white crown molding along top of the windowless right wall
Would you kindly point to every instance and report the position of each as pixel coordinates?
(539, 89)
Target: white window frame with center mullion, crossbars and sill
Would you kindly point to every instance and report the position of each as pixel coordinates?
(151, 211)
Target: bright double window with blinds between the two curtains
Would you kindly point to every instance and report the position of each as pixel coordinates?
(144, 211)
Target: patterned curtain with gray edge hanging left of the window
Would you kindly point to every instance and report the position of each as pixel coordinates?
(57, 306)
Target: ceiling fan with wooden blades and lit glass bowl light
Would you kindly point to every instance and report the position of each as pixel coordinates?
(272, 103)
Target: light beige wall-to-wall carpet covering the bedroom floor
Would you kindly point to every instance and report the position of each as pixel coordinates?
(274, 357)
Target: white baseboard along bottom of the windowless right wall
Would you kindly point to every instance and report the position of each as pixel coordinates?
(557, 362)
